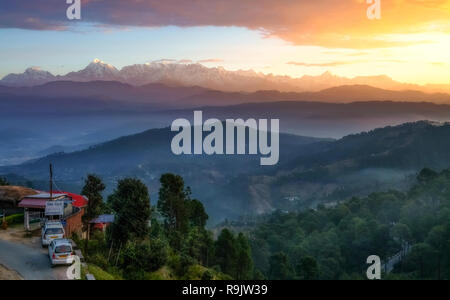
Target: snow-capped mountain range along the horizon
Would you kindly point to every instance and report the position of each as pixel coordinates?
(216, 78)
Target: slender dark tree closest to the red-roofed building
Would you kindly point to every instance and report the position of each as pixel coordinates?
(93, 188)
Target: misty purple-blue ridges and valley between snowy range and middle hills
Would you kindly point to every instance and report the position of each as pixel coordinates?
(69, 115)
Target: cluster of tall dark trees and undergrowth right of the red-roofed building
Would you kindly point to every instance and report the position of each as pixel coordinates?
(165, 241)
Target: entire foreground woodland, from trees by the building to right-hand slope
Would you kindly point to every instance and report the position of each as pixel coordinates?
(170, 239)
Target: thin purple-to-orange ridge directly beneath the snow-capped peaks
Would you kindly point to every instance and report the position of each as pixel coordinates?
(182, 96)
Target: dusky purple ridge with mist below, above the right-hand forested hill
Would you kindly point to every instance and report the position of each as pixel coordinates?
(321, 119)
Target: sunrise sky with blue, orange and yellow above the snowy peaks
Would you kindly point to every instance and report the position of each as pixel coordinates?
(410, 43)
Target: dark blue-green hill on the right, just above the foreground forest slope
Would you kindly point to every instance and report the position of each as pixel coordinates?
(354, 165)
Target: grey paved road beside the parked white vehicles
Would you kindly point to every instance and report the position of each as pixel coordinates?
(31, 262)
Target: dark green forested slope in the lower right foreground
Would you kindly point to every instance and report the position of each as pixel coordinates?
(335, 242)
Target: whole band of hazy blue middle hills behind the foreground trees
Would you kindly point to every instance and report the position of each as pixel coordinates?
(310, 171)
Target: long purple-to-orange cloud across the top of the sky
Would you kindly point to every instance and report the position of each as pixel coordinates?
(327, 23)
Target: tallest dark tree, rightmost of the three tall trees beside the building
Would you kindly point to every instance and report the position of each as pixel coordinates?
(172, 203)
